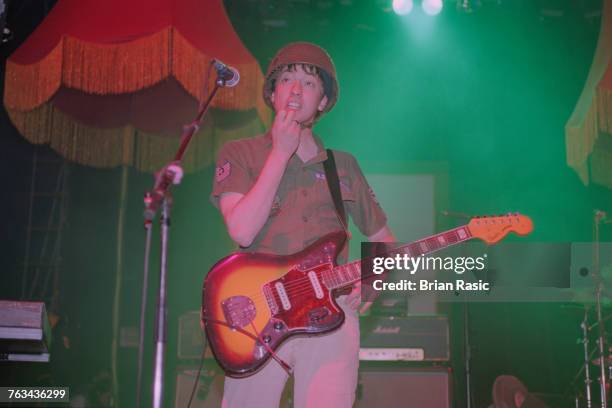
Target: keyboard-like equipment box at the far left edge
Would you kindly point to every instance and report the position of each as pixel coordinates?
(24, 331)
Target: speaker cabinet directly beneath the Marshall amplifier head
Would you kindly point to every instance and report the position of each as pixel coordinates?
(406, 387)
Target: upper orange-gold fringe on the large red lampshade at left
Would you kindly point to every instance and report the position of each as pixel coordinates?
(127, 67)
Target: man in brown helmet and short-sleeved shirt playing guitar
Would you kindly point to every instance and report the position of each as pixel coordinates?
(274, 198)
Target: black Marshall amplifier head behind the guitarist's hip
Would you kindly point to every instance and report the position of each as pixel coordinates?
(414, 338)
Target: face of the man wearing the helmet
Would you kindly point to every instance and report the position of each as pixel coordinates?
(301, 92)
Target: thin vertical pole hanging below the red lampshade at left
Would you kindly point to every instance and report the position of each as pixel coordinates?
(118, 280)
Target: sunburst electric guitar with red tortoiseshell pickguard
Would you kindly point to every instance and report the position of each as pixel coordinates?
(252, 302)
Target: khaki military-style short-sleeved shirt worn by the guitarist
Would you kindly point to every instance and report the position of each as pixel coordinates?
(303, 209)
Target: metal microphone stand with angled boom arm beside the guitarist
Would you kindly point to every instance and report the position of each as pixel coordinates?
(161, 197)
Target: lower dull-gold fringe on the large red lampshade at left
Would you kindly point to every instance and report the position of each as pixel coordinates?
(123, 146)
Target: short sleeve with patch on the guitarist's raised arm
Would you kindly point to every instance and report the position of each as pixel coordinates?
(231, 173)
